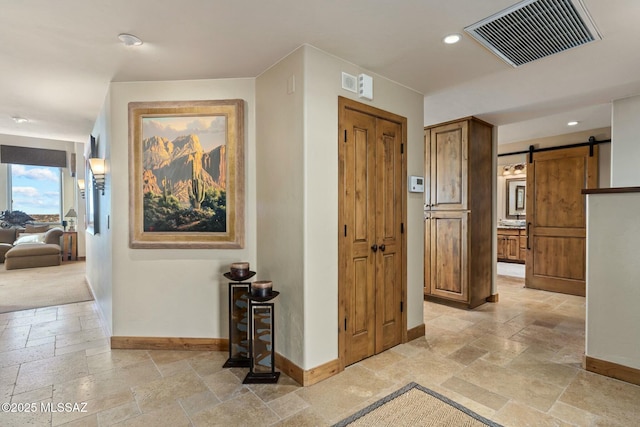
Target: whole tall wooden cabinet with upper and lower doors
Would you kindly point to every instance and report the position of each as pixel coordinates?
(458, 212)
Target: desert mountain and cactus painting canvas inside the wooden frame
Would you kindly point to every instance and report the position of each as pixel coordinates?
(184, 174)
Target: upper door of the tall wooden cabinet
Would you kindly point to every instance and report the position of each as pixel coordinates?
(446, 155)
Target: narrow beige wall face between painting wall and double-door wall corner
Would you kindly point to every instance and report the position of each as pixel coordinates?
(280, 196)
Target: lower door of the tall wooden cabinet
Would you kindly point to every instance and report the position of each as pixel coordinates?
(447, 255)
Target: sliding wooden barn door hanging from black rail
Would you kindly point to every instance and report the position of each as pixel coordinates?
(556, 218)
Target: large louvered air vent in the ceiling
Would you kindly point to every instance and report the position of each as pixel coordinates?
(533, 29)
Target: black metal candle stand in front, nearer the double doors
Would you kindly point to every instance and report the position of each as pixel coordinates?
(261, 343)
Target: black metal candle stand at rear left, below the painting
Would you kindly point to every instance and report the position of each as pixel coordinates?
(239, 342)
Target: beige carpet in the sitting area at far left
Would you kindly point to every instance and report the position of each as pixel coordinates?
(43, 286)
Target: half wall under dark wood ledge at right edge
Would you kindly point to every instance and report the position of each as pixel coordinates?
(613, 294)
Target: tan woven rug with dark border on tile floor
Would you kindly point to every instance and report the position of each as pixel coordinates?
(415, 405)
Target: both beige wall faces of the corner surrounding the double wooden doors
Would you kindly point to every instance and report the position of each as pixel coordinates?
(298, 229)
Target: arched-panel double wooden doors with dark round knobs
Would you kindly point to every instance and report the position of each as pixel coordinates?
(371, 243)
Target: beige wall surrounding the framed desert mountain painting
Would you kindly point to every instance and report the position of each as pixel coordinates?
(168, 292)
